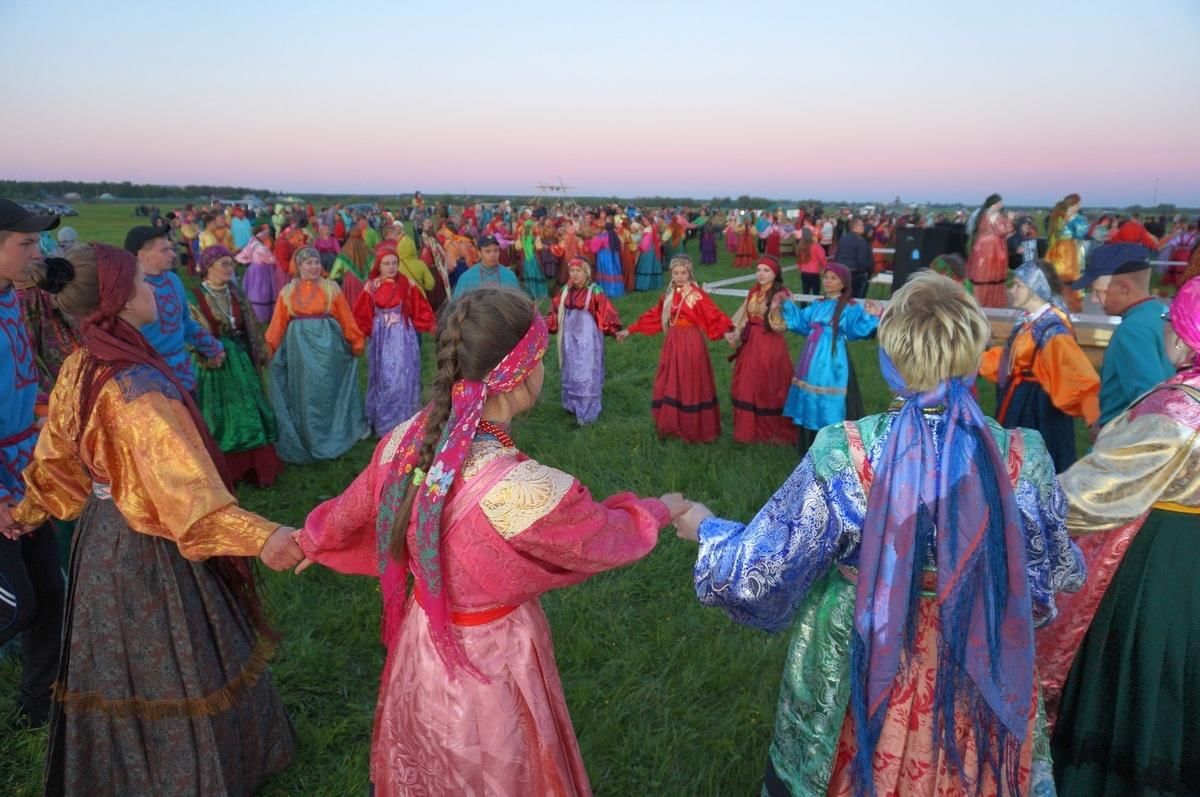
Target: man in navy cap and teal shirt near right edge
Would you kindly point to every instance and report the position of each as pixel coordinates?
(1136, 359)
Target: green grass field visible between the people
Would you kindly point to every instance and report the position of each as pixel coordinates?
(668, 698)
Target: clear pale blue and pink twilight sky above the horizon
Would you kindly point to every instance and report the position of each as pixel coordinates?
(855, 100)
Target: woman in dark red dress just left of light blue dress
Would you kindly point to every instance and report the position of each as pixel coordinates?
(763, 370)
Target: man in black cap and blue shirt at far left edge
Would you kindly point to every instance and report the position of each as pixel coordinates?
(32, 594)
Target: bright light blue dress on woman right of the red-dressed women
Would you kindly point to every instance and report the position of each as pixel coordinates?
(818, 397)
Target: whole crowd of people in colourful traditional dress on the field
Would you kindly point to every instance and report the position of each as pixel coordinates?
(973, 608)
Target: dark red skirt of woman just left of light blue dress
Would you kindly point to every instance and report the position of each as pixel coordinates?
(763, 375)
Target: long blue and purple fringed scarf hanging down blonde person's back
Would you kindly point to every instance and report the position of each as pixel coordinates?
(961, 504)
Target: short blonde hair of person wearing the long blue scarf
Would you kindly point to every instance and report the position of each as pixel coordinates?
(933, 331)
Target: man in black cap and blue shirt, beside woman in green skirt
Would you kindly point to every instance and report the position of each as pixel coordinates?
(176, 326)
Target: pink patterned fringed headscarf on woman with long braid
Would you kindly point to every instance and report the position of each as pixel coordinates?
(467, 409)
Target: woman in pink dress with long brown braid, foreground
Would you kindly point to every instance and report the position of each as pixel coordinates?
(471, 700)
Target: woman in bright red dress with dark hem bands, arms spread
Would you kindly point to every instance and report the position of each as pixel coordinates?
(685, 400)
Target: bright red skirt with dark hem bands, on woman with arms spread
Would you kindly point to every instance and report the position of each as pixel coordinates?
(685, 402)
